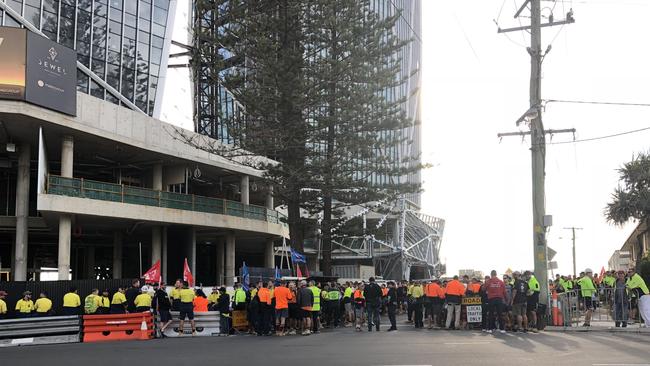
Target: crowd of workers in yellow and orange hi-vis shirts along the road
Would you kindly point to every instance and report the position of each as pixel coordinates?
(301, 307)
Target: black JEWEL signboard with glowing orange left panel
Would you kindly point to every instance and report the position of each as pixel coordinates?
(38, 70)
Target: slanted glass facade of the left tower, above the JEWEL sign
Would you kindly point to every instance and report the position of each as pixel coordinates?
(121, 41)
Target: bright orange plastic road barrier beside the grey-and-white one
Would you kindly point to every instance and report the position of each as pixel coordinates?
(118, 327)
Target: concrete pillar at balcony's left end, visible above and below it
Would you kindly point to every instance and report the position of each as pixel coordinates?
(65, 221)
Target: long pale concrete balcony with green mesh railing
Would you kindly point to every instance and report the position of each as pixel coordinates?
(93, 198)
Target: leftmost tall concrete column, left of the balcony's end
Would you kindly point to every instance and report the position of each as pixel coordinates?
(22, 213)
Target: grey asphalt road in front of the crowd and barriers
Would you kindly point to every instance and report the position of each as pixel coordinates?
(407, 346)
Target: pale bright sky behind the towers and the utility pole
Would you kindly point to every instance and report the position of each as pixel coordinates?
(475, 84)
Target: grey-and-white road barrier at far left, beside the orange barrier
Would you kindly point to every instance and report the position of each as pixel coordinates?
(40, 330)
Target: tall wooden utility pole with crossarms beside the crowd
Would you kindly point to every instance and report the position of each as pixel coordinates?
(538, 136)
